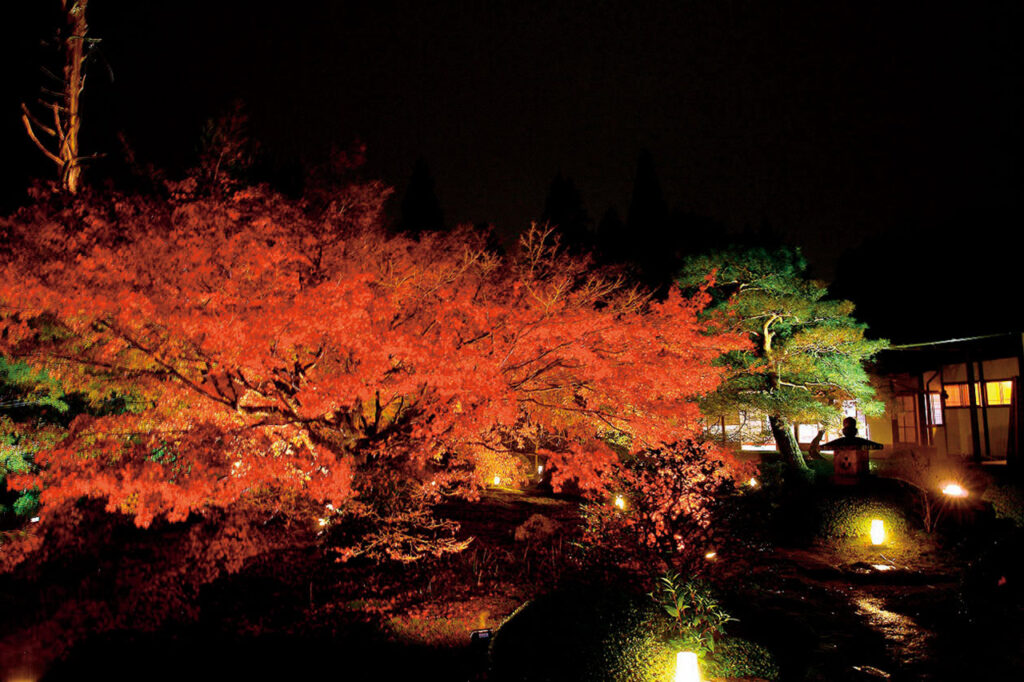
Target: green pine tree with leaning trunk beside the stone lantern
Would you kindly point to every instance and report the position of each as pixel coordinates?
(808, 353)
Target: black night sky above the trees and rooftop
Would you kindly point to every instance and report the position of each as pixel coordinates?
(833, 122)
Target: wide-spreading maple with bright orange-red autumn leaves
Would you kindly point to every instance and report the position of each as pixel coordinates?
(274, 357)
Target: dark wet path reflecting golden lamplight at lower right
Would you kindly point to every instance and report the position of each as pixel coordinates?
(836, 623)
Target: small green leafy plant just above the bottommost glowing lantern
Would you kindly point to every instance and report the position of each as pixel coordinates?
(699, 619)
